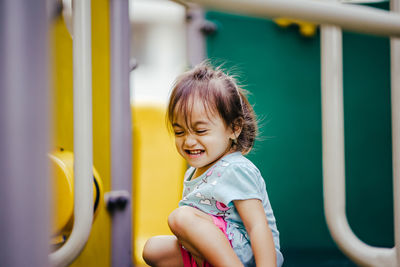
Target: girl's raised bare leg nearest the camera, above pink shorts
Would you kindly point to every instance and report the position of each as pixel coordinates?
(199, 235)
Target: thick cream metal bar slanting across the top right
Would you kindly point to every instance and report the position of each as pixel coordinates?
(350, 17)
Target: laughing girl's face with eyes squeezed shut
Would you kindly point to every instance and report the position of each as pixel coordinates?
(205, 141)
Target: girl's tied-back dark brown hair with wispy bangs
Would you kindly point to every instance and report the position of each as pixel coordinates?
(219, 93)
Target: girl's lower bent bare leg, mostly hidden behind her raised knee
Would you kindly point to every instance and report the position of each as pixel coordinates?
(163, 251)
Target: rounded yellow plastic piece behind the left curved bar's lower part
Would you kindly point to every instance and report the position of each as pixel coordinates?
(62, 166)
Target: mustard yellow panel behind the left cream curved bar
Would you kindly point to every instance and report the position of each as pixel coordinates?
(97, 251)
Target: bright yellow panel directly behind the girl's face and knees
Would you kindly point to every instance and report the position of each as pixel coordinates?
(158, 173)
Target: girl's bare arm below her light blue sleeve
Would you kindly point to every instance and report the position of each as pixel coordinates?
(252, 213)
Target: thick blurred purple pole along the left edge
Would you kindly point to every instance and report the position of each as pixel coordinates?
(24, 133)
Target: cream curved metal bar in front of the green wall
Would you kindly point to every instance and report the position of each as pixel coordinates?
(333, 156)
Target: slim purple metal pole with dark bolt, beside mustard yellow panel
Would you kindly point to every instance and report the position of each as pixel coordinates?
(121, 134)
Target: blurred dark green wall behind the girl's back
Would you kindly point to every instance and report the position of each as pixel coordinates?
(281, 69)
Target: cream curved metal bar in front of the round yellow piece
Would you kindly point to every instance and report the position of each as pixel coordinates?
(83, 147)
